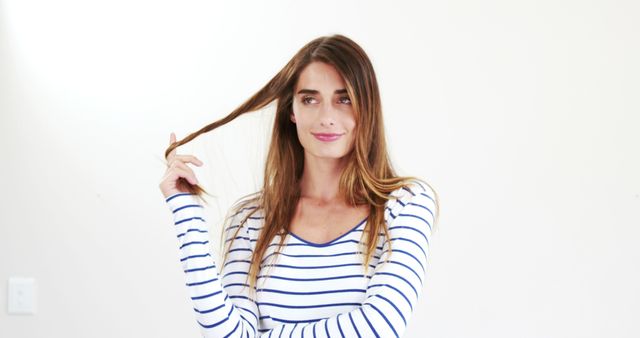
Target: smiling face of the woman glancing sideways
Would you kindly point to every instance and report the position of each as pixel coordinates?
(323, 113)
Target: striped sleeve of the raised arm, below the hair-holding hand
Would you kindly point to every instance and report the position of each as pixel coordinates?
(220, 311)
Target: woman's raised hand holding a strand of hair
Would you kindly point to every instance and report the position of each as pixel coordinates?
(176, 169)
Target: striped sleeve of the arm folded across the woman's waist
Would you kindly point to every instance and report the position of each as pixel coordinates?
(395, 286)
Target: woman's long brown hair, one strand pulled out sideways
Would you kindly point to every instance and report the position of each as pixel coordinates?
(368, 177)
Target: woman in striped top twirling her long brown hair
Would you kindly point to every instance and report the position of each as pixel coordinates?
(335, 244)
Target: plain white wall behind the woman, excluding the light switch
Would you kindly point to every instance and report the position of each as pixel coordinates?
(522, 114)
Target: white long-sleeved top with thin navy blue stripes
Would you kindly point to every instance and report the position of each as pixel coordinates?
(313, 290)
